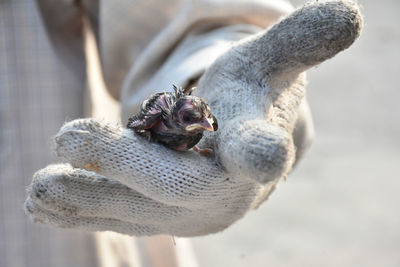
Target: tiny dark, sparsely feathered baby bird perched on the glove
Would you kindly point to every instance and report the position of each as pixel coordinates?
(175, 119)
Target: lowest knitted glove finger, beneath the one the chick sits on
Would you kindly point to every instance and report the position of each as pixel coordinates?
(76, 192)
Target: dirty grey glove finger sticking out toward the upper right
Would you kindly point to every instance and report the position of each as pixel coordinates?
(305, 38)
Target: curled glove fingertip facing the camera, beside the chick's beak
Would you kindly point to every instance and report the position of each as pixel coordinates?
(254, 148)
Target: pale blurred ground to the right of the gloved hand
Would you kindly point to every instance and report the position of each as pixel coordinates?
(340, 207)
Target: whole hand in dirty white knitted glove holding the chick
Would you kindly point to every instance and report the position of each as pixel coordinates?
(139, 188)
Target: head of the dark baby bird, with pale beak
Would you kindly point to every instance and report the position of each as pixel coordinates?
(193, 115)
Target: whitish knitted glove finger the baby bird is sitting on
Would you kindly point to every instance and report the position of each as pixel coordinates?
(183, 179)
